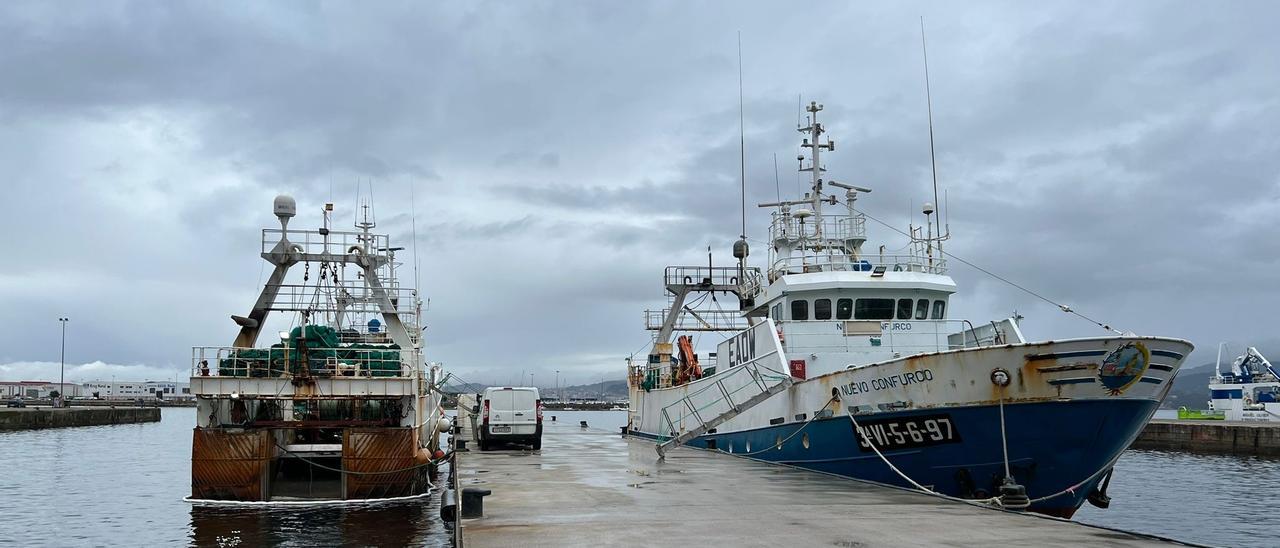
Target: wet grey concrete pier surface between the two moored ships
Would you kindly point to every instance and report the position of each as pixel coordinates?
(596, 488)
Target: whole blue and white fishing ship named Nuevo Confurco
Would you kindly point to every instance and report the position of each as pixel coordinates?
(849, 363)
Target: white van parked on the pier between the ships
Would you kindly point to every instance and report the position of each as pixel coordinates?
(511, 414)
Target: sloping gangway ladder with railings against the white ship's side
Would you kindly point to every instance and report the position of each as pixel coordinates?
(725, 401)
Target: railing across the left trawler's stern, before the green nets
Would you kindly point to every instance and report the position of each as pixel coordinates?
(380, 363)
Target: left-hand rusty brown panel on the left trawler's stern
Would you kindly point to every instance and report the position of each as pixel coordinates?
(230, 465)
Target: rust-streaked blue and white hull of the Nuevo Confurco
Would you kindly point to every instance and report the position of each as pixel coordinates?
(1071, 409)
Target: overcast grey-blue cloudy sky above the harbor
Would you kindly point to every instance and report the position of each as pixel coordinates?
(1122, 158)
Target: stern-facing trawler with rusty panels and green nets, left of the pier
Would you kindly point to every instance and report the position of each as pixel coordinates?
(341, 407)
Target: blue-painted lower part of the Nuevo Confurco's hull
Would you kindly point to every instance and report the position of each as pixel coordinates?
(1052, 447)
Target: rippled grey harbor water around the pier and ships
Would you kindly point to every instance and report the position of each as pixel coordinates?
(125, 486)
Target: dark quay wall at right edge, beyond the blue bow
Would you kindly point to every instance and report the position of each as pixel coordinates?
(1212, 437)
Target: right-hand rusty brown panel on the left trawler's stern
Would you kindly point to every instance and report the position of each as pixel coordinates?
(369, 451)
